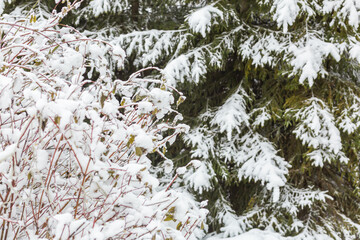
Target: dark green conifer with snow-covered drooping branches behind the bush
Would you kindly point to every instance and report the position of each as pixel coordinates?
(272, 100)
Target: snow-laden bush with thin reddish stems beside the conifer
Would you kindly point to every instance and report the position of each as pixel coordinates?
(74, 143)
